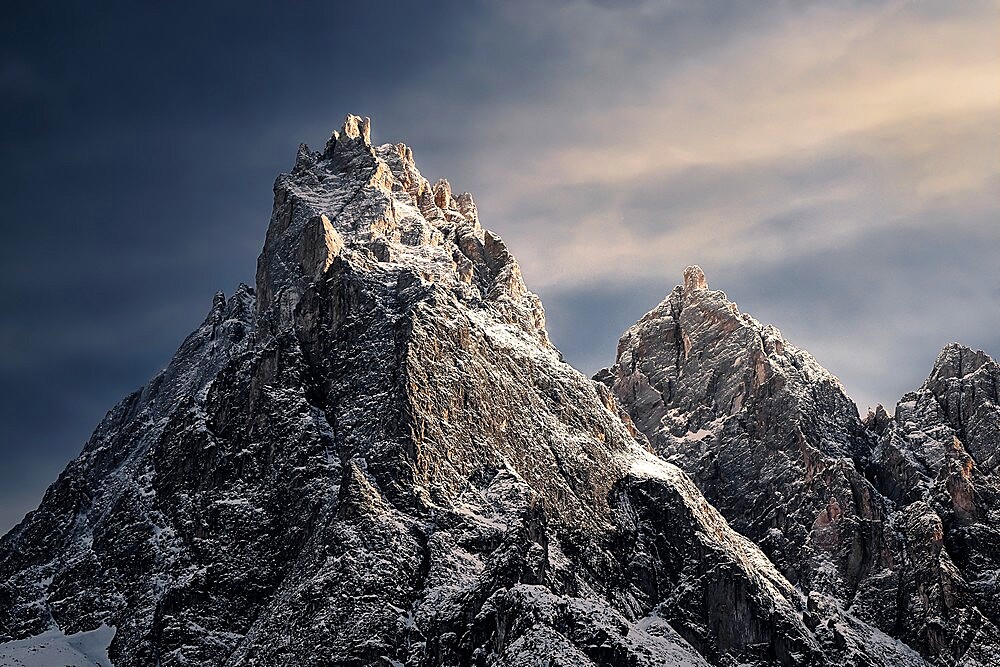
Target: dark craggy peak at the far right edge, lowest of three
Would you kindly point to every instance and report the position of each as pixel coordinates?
(936, 459)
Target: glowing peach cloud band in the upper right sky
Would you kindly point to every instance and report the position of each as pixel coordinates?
(890, 86)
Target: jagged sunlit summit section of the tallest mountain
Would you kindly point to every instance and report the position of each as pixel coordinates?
(369, 205)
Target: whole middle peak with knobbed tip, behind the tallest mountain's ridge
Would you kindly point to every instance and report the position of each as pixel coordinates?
(755, 422)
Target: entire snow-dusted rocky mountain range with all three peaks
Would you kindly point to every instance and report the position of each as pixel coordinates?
(375, 456)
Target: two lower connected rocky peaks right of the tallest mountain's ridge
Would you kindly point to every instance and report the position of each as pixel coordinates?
(891, 519)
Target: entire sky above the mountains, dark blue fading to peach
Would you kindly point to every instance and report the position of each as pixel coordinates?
(835, 169)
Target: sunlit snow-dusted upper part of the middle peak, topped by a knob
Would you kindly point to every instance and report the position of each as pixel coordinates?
(705, 358)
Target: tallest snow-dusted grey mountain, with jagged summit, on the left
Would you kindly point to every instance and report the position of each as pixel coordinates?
(377, 457)
